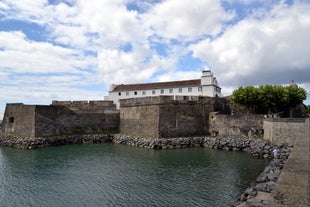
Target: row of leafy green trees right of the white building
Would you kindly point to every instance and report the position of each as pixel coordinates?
(269, 98)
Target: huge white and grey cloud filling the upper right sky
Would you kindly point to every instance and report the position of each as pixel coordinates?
(264, 48)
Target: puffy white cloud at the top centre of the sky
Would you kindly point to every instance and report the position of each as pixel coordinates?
(188, 19)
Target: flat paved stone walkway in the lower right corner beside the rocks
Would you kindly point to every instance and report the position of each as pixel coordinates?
(293, 186)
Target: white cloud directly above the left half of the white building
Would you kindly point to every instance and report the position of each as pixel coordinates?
(130, 67)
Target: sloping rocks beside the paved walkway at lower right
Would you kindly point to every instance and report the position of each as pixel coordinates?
(259, 194)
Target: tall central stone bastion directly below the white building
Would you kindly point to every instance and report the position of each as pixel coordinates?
(162, 116)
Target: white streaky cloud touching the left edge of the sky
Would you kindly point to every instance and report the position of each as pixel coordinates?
(19, 54)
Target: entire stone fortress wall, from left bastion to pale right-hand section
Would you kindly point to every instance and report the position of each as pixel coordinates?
(148, 117)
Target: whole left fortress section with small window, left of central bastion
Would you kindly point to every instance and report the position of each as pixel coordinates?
(60, 118)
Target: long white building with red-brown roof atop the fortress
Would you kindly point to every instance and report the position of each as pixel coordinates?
(206, 86)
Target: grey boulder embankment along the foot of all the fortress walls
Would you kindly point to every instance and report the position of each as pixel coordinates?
(255, 147)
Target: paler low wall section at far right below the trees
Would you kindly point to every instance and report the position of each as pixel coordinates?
(283, 130)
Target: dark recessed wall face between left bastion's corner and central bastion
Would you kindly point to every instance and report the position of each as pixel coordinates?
(58, 120)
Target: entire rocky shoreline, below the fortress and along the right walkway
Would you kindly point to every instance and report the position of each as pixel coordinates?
(257, 194)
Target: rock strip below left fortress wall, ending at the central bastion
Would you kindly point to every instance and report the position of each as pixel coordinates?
(31, 143)
